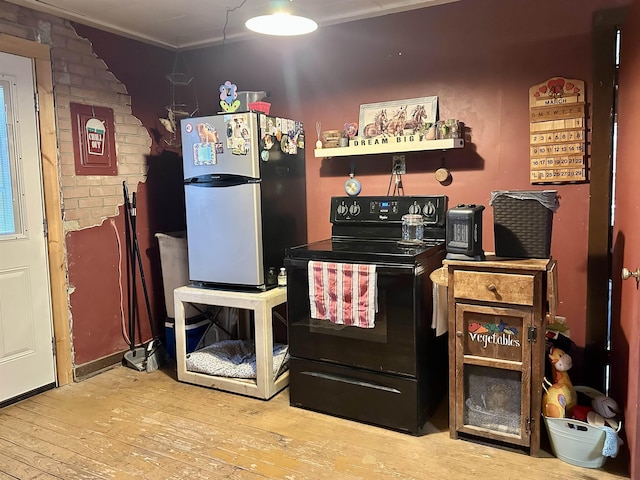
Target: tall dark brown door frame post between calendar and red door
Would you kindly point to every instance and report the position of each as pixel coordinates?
(607, 26)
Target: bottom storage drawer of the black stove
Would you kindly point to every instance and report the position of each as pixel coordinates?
(375, 398)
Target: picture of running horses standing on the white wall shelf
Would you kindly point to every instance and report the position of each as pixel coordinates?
(397, 117)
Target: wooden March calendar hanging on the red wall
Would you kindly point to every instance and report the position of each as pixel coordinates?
(557, 144)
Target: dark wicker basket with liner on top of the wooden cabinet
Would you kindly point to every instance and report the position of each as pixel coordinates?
(522, 223)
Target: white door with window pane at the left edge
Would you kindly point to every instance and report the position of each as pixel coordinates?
(26, 357)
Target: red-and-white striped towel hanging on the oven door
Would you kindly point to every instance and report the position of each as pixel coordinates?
(343, 293)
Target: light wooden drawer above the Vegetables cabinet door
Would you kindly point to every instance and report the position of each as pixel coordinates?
(494, 287)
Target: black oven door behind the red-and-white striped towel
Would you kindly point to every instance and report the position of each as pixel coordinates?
(400, 322)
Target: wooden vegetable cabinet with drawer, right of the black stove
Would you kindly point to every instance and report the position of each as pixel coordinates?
(497, 312)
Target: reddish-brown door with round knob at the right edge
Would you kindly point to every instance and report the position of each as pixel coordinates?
(625, 321)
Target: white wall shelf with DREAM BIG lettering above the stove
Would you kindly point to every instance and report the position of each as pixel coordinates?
(394, 145)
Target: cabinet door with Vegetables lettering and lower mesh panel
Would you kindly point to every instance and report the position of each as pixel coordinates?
(493, 372)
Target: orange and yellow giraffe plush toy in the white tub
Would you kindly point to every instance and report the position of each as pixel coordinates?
(560, 396)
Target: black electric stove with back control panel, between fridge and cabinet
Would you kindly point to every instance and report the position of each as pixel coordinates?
(392, 375)
